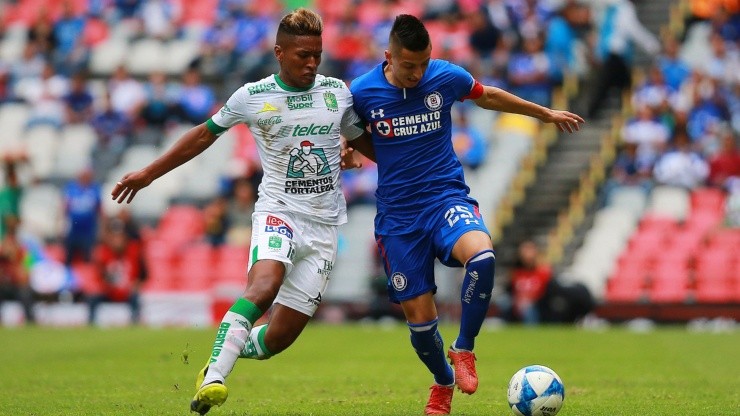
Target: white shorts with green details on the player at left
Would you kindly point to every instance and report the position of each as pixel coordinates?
(307, 249)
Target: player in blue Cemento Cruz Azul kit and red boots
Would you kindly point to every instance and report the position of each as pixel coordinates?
(424, 210)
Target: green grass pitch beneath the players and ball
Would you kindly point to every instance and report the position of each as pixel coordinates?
(365, 370)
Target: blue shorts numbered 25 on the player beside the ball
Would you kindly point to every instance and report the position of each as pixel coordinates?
(409, 258)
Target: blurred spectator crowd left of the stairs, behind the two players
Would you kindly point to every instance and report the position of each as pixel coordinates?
(108, 84)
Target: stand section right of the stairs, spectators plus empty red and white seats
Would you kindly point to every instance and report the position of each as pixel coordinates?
(669, 217)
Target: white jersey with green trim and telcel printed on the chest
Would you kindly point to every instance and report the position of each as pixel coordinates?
(297, 134)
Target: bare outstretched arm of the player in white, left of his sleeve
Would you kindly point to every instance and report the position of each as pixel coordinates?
(191, 144)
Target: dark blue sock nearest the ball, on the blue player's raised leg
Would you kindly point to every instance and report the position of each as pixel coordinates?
(476, 296)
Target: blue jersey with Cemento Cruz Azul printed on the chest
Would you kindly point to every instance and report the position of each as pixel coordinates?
(411, 134)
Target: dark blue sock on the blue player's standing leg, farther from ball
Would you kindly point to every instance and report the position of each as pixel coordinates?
(429, 346)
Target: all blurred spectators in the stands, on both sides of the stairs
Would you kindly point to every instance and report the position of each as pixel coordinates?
(107, 85)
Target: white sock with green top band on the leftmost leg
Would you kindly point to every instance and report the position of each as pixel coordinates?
(231, 338)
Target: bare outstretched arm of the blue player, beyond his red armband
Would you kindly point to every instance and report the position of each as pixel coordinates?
(499, 100)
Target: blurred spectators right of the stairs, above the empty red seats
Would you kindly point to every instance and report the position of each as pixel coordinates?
(683, 127)
